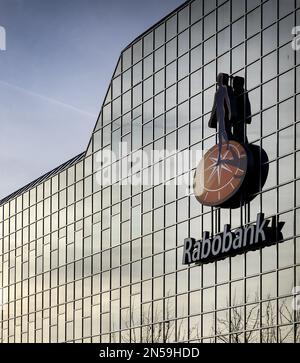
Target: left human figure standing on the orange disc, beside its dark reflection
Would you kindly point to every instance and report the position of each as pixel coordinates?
(219, 113)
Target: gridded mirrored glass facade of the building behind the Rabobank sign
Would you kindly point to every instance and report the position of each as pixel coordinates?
(87, 261)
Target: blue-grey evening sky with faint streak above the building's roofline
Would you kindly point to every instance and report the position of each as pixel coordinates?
(54, 73)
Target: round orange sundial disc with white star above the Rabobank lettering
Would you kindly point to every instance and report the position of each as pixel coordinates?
(220, 174)
